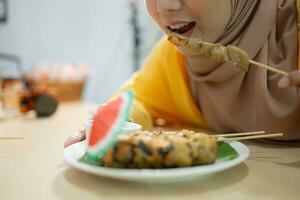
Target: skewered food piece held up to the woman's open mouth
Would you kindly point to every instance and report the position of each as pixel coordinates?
(213, 51)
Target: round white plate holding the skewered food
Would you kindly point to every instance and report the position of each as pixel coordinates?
(74, 152)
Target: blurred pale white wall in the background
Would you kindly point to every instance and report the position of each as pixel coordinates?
(96, 32)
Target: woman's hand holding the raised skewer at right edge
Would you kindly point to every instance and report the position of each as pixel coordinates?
(293, 79)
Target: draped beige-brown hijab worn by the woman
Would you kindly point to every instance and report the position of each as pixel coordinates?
(232, 100)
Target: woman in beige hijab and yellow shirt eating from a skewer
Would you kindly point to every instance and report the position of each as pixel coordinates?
(181, 87)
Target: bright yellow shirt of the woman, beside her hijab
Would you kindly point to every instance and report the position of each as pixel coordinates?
(161, 90)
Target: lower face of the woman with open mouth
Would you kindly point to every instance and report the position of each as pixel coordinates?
(204, 19)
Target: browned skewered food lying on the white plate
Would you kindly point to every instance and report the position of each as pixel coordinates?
(159, 149)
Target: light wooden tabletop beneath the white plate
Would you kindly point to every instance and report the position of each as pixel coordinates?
(33, 168)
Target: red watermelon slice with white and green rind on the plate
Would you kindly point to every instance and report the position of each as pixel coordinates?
(108, 123)
